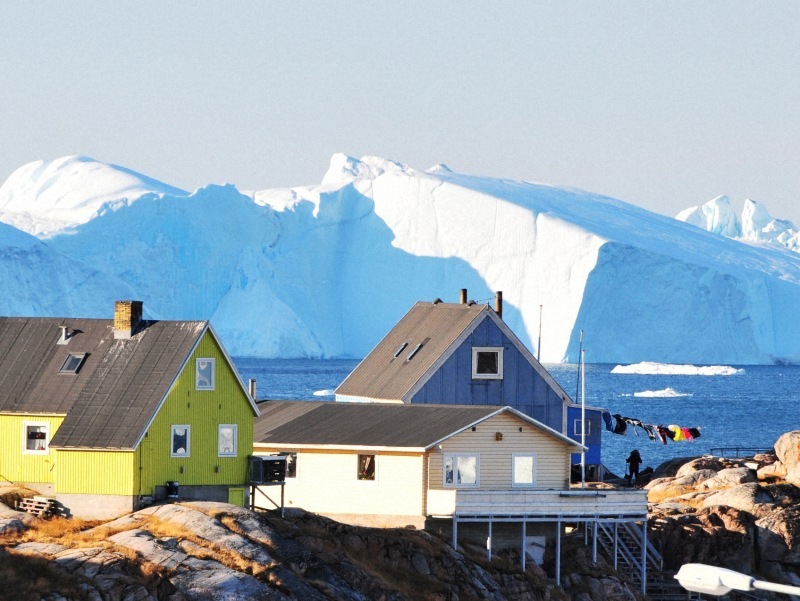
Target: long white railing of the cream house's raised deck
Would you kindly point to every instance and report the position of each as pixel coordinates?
(542, 503)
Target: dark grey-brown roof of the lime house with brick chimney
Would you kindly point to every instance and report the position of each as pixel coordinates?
(116, 392)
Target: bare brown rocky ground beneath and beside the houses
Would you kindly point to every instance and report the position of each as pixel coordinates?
(739, 513)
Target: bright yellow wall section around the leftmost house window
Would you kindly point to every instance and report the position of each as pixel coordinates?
(16, 466)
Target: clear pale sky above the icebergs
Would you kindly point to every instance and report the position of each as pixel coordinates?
(662, 104)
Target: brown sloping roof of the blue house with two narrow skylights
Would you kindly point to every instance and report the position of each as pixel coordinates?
(434, 325)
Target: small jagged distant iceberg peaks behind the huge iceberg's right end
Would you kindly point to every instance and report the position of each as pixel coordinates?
(756, 224)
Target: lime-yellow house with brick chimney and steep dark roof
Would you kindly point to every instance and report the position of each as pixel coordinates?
(107, 416)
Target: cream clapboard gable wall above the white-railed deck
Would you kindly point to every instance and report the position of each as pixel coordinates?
(552, 455)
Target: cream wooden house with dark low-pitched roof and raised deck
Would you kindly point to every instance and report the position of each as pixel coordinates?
(477, 472)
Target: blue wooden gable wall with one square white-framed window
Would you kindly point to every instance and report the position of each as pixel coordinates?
(521, 386)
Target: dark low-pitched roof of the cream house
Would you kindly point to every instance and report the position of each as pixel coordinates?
(364, 424)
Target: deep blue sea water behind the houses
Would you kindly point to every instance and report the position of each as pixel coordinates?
(750, 409)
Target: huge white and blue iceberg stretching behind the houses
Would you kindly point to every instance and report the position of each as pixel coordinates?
(326, 270)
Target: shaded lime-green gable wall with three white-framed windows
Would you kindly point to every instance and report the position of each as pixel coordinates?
(203, 411)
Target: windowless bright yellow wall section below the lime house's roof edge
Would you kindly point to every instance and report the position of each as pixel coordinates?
(96, 472)
